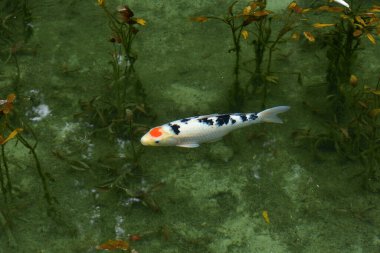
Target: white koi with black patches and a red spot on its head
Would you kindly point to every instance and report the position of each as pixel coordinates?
(191, 132)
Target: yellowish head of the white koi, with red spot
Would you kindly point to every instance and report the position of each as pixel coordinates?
(158, 136)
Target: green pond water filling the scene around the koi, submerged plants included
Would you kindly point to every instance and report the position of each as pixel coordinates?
(264, 188)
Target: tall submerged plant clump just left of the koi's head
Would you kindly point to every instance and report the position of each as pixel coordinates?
(120, 111)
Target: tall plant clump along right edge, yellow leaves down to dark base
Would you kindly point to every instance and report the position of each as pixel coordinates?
(350, 119)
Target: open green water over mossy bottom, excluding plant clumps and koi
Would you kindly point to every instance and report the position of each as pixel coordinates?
(212, 197)
